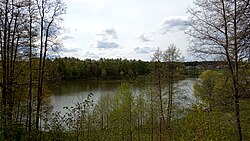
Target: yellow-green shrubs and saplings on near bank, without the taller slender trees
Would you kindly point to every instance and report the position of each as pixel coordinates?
(136, 116)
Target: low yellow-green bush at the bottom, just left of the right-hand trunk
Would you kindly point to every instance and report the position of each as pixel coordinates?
(200, 124)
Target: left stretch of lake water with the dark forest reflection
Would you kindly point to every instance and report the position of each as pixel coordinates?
(71, 92)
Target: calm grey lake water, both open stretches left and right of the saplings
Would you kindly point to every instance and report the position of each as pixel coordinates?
(70, 92)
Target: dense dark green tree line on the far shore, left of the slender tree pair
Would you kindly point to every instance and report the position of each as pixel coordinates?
(73, 68)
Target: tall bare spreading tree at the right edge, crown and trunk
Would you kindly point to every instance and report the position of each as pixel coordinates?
(221, 28)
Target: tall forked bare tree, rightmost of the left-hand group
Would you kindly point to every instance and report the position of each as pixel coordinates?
(49, 15)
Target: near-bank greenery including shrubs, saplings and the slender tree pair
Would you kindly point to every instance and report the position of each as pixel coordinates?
(160, 110)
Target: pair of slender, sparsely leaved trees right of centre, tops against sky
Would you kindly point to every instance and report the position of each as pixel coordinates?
(165, 72)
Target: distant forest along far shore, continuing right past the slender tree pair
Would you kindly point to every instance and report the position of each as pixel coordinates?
(74, 68)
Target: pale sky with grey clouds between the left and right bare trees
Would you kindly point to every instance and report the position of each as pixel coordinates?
(130, 29)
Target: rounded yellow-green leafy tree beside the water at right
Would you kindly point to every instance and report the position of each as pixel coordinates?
(215, 90)
